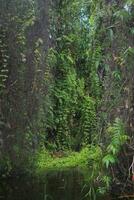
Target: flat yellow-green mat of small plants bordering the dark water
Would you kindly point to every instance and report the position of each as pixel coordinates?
(46, 162)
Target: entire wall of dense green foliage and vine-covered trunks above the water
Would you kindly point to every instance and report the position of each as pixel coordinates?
(66, 87)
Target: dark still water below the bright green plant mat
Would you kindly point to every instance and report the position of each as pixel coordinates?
(67, 185)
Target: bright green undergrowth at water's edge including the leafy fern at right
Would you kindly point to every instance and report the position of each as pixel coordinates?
(95, 161)
